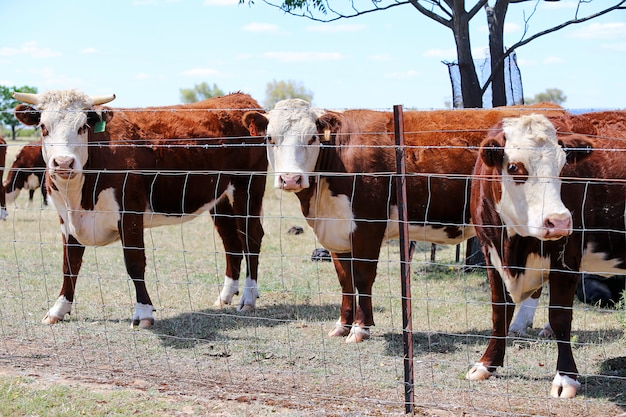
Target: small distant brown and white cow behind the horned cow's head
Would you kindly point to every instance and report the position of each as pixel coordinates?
(26, 173)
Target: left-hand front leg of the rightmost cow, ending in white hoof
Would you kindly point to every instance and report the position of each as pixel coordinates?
(502, 309)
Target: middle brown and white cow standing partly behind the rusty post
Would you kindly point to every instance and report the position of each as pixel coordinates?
(340, 165)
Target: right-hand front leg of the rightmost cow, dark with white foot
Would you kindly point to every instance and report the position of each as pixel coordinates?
(562, 291)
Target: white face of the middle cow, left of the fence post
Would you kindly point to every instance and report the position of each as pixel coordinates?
(293, 143)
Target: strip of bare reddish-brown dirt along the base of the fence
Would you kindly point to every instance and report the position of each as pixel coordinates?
(228, 394)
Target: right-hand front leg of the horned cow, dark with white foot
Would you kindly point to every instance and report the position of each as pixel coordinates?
(131, 234)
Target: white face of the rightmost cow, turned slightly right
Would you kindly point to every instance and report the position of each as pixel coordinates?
(530, 162)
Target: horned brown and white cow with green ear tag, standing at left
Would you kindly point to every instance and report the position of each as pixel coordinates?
(113, 172)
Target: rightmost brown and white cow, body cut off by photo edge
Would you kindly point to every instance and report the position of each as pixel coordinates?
(537, 227)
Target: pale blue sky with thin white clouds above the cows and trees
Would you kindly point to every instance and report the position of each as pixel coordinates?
(144, 51)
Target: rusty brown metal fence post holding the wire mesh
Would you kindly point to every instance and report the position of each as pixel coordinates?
(406, 252)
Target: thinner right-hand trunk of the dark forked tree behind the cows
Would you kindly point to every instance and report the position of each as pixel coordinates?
(495, 22)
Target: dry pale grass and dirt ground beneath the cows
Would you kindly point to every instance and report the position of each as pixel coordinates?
(277, 360)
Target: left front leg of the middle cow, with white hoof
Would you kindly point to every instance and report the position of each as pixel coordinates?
(348, 296)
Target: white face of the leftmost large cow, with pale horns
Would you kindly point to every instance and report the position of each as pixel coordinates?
(64, 119)
